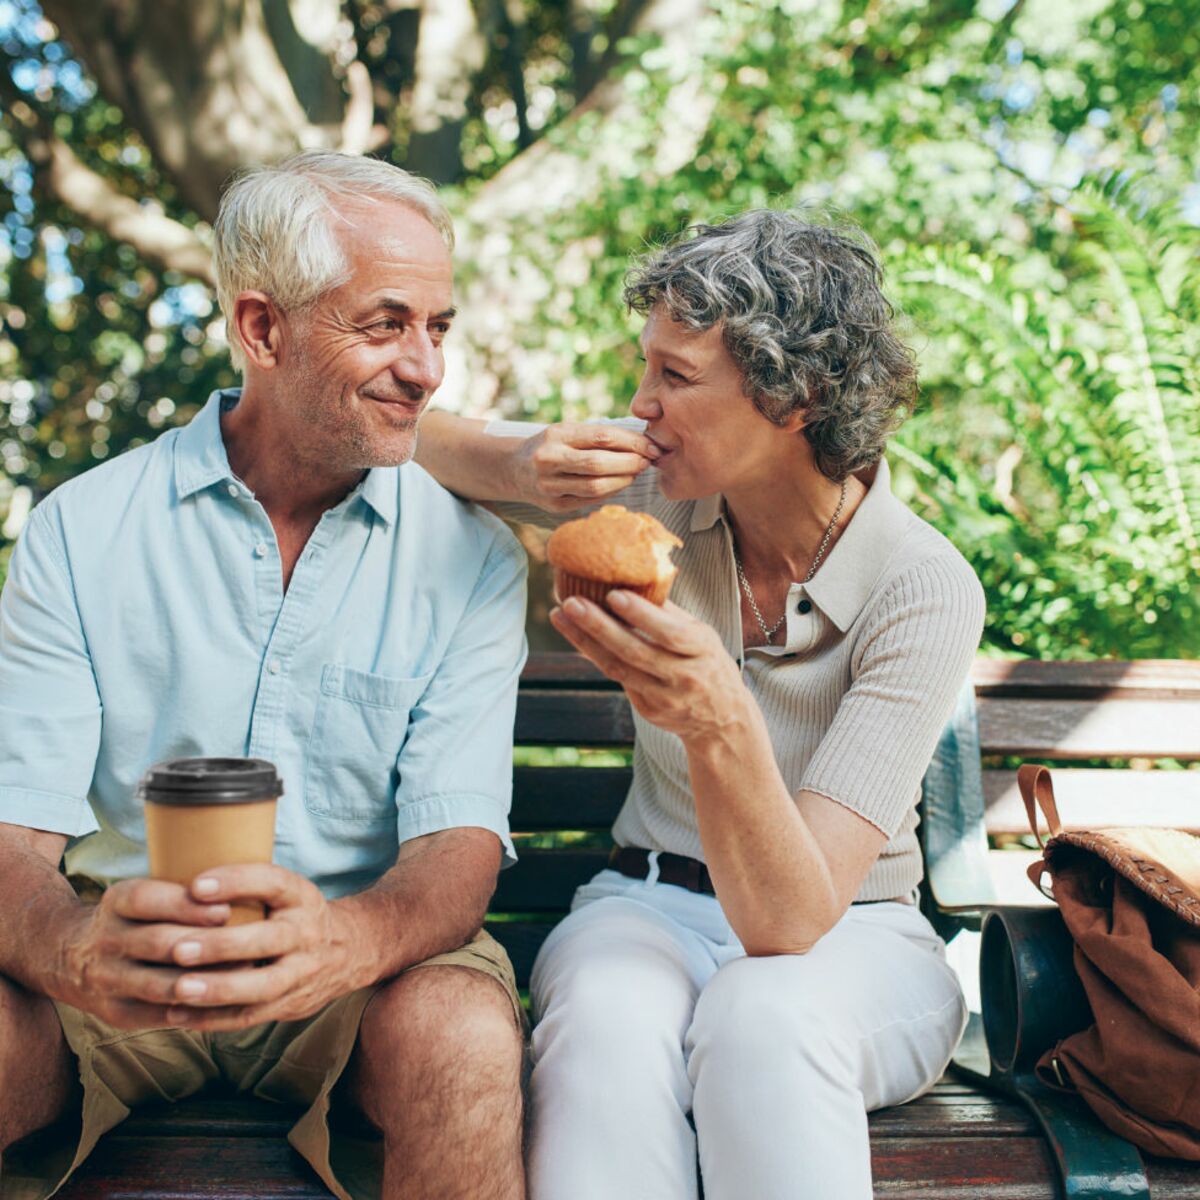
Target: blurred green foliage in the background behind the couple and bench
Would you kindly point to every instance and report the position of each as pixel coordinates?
(1024, 167)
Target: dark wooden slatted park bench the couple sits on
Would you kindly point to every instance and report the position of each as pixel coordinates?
(957, 1142)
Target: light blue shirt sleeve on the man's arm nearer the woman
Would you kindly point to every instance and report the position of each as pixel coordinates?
(457, 765)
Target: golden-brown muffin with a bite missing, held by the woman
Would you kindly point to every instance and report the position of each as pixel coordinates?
(611, 549)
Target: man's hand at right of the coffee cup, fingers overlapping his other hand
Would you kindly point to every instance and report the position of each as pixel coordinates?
(285, 968)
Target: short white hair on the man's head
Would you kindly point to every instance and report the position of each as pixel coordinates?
(274, 231)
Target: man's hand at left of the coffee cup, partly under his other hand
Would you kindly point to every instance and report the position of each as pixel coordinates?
(118, 958)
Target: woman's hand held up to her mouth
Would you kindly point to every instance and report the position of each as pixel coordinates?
(568, 466)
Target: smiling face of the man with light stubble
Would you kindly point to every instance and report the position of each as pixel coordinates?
(363, 363)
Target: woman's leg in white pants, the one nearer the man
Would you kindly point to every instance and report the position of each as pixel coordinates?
(614, 989)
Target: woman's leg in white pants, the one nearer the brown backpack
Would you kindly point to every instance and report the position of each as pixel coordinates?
(789, 1054)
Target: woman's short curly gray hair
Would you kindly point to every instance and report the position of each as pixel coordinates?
(803, 315)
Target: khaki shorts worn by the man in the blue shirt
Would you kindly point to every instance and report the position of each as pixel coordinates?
(291, 1063)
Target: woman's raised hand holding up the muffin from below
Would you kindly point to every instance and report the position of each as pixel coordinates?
(674, 668)
